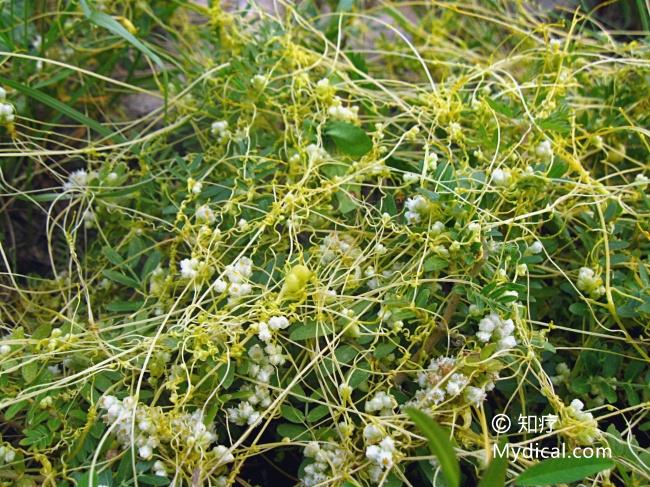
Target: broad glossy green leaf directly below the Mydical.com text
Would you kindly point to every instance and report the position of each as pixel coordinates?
(555, 471)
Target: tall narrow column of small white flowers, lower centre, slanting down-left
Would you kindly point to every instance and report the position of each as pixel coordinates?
(261, 369)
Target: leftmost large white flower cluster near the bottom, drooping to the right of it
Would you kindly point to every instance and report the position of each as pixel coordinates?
(120, 413)
